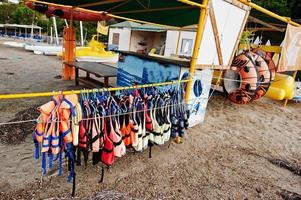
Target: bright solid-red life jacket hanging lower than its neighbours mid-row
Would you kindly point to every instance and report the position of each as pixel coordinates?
(107, 154)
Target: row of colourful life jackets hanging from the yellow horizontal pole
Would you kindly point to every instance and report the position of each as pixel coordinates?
(106, 125)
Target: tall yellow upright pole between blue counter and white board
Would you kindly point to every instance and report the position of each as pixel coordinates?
(197, 44)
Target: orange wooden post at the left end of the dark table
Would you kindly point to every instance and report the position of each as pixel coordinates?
(69, 52)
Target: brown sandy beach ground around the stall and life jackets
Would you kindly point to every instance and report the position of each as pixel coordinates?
(224, 158)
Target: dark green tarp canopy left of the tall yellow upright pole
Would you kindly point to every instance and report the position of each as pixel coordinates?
(166, 12)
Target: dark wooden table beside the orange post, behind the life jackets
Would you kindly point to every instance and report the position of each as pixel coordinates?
(98, 69)
